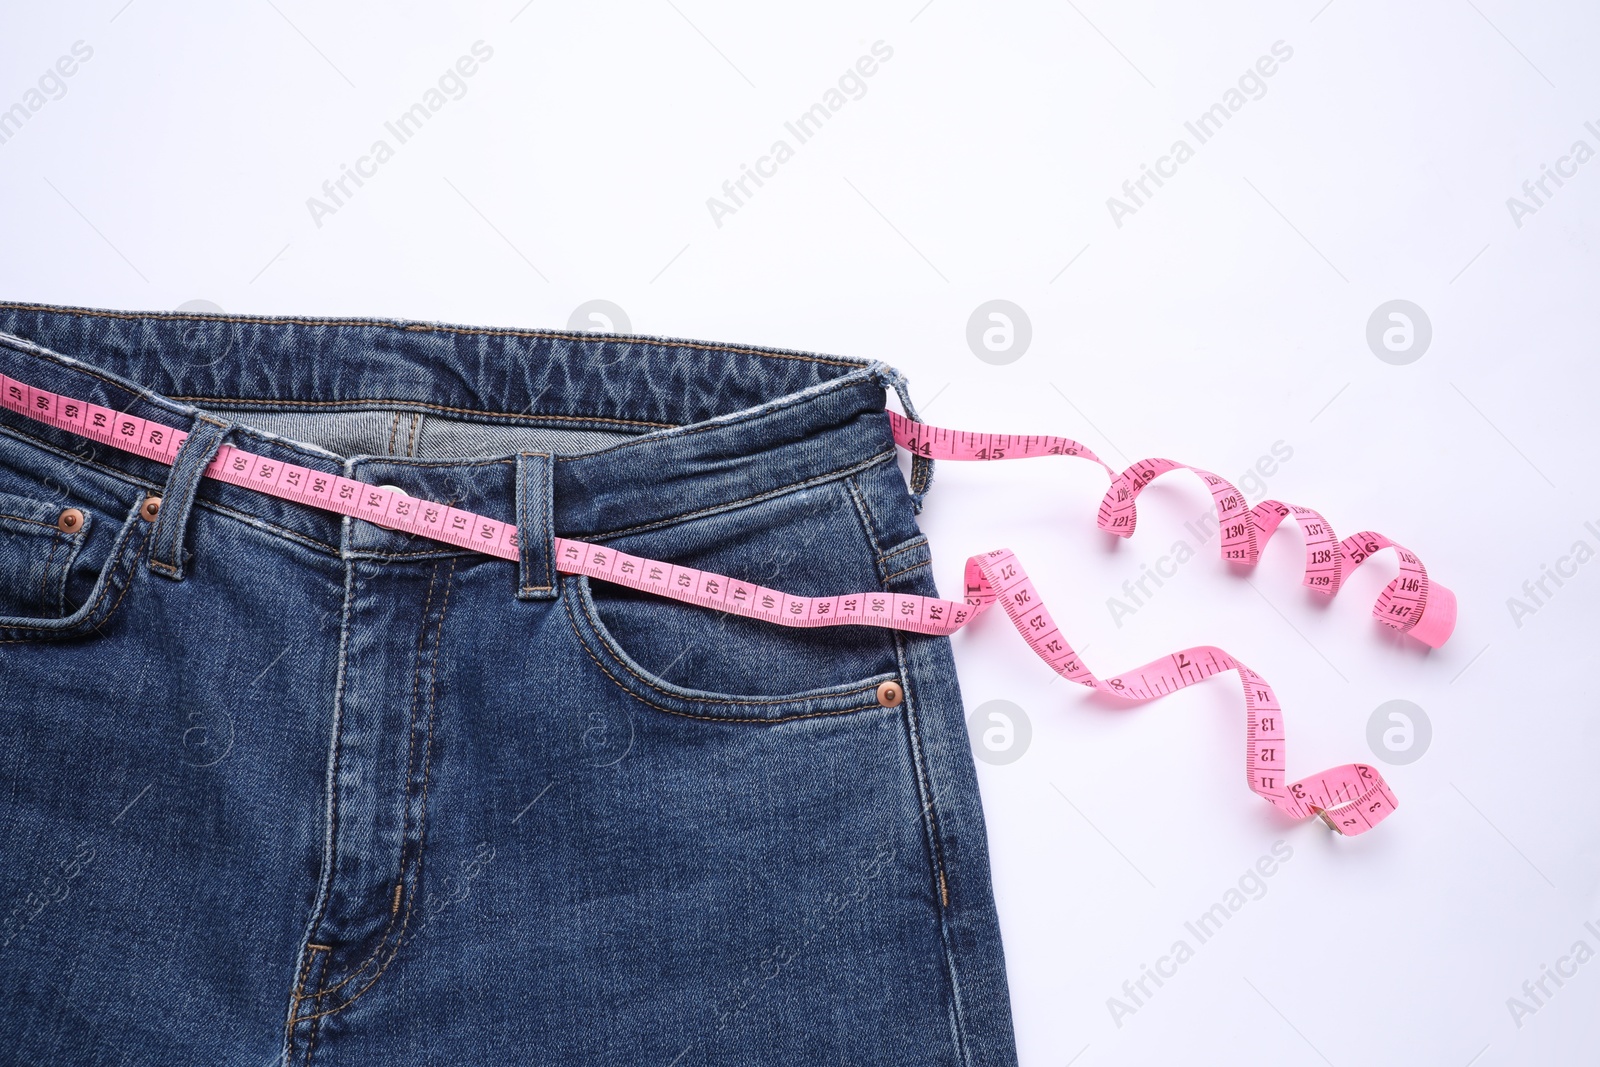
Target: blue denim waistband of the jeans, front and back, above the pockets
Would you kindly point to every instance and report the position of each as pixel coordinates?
(674, 428)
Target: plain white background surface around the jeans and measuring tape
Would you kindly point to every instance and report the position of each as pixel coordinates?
(1228, 314)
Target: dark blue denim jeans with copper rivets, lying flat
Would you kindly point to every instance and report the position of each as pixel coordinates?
(287, 788)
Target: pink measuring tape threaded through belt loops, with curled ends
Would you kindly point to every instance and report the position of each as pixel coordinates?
(1351, 799)
